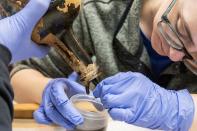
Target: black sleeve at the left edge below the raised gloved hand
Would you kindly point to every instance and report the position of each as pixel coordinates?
(6, 93)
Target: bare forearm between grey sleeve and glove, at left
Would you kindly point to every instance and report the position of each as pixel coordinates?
(28, 85)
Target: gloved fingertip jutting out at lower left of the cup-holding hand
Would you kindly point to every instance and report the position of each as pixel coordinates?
(40, 116)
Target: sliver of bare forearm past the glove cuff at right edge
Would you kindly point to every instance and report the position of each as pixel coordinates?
(194, 124)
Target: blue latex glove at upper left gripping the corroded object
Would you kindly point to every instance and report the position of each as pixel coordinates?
(16, 30)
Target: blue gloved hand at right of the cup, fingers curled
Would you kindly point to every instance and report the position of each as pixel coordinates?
(133, 98)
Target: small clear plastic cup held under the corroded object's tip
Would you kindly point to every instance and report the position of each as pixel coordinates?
(93, 111)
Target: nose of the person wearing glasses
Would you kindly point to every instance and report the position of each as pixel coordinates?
(175, 55)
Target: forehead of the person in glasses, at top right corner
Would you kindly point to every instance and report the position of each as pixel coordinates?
(188, 9)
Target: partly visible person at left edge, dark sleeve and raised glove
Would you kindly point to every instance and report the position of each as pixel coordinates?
(15, 45)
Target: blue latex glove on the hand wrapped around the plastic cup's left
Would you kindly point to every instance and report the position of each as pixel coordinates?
(56, 107)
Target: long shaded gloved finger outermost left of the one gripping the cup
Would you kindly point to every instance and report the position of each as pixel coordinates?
(52, 112)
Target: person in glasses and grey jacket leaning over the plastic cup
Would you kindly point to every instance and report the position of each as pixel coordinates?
(153, 44)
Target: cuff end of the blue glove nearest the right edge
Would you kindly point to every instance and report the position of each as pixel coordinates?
(186, 110)
